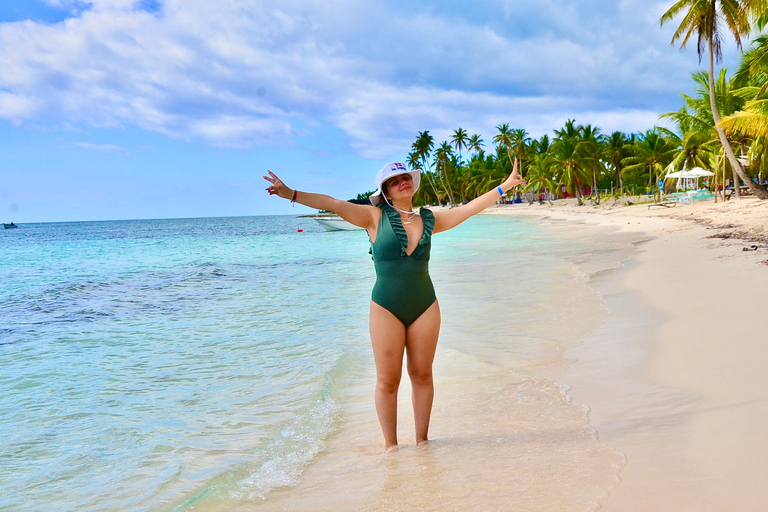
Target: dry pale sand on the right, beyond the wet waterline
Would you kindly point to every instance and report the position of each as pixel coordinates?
(688, 405)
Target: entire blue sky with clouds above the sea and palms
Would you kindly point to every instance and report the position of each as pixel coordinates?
(124, 109)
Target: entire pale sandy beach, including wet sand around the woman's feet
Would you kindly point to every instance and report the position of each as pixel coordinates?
(655, 399)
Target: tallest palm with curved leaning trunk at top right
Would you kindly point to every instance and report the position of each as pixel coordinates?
(702, 17)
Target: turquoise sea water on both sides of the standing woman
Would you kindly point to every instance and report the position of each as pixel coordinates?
(147, 364)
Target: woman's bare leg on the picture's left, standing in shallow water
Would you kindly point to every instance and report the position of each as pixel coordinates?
(388, 342)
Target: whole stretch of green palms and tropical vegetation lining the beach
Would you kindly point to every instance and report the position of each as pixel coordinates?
(722, 126)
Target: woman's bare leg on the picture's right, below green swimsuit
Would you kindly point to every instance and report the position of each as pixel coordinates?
(420, 345)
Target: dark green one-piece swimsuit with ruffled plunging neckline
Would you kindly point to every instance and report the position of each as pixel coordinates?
(403, 286)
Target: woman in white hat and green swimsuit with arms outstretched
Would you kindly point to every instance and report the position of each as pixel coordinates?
(404, 313)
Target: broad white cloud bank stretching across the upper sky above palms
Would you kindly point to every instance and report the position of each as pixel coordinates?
(240, 73)
